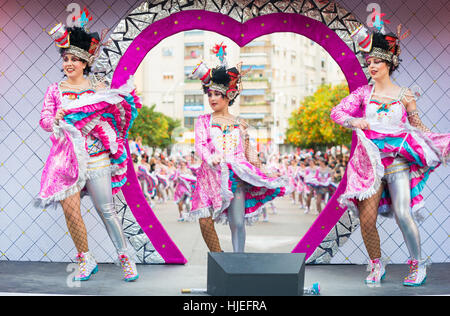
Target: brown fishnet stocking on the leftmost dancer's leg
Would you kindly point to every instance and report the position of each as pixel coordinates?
(75, 223)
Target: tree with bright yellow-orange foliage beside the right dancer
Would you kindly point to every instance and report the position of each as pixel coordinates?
(310, 126)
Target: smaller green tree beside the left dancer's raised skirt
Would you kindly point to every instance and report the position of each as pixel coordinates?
(154, 127)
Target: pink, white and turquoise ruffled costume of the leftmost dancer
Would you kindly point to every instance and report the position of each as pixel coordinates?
(95, 121)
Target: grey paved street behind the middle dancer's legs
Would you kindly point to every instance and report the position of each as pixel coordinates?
(280, 234)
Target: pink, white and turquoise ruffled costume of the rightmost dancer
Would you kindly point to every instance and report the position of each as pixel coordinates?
(390, 138)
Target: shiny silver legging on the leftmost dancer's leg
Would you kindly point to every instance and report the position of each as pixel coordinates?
(100, 191)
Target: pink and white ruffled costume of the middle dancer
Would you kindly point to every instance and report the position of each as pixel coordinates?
(216, 185)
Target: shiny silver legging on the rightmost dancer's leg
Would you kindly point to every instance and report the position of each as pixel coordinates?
(400, 192)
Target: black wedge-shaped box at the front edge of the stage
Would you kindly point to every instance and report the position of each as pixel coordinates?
(255, 274)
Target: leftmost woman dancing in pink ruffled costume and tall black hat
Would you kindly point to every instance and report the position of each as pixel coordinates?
(89, 123)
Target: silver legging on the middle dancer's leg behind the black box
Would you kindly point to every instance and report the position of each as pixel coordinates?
(236, 218)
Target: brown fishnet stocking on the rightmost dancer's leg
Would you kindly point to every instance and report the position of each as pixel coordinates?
(368, 211)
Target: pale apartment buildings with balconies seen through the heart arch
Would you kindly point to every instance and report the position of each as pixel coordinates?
(285, 67)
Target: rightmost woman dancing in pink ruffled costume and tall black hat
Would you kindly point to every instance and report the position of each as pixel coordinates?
(394, 155)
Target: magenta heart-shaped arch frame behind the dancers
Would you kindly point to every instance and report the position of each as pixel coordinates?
(240, 34)
